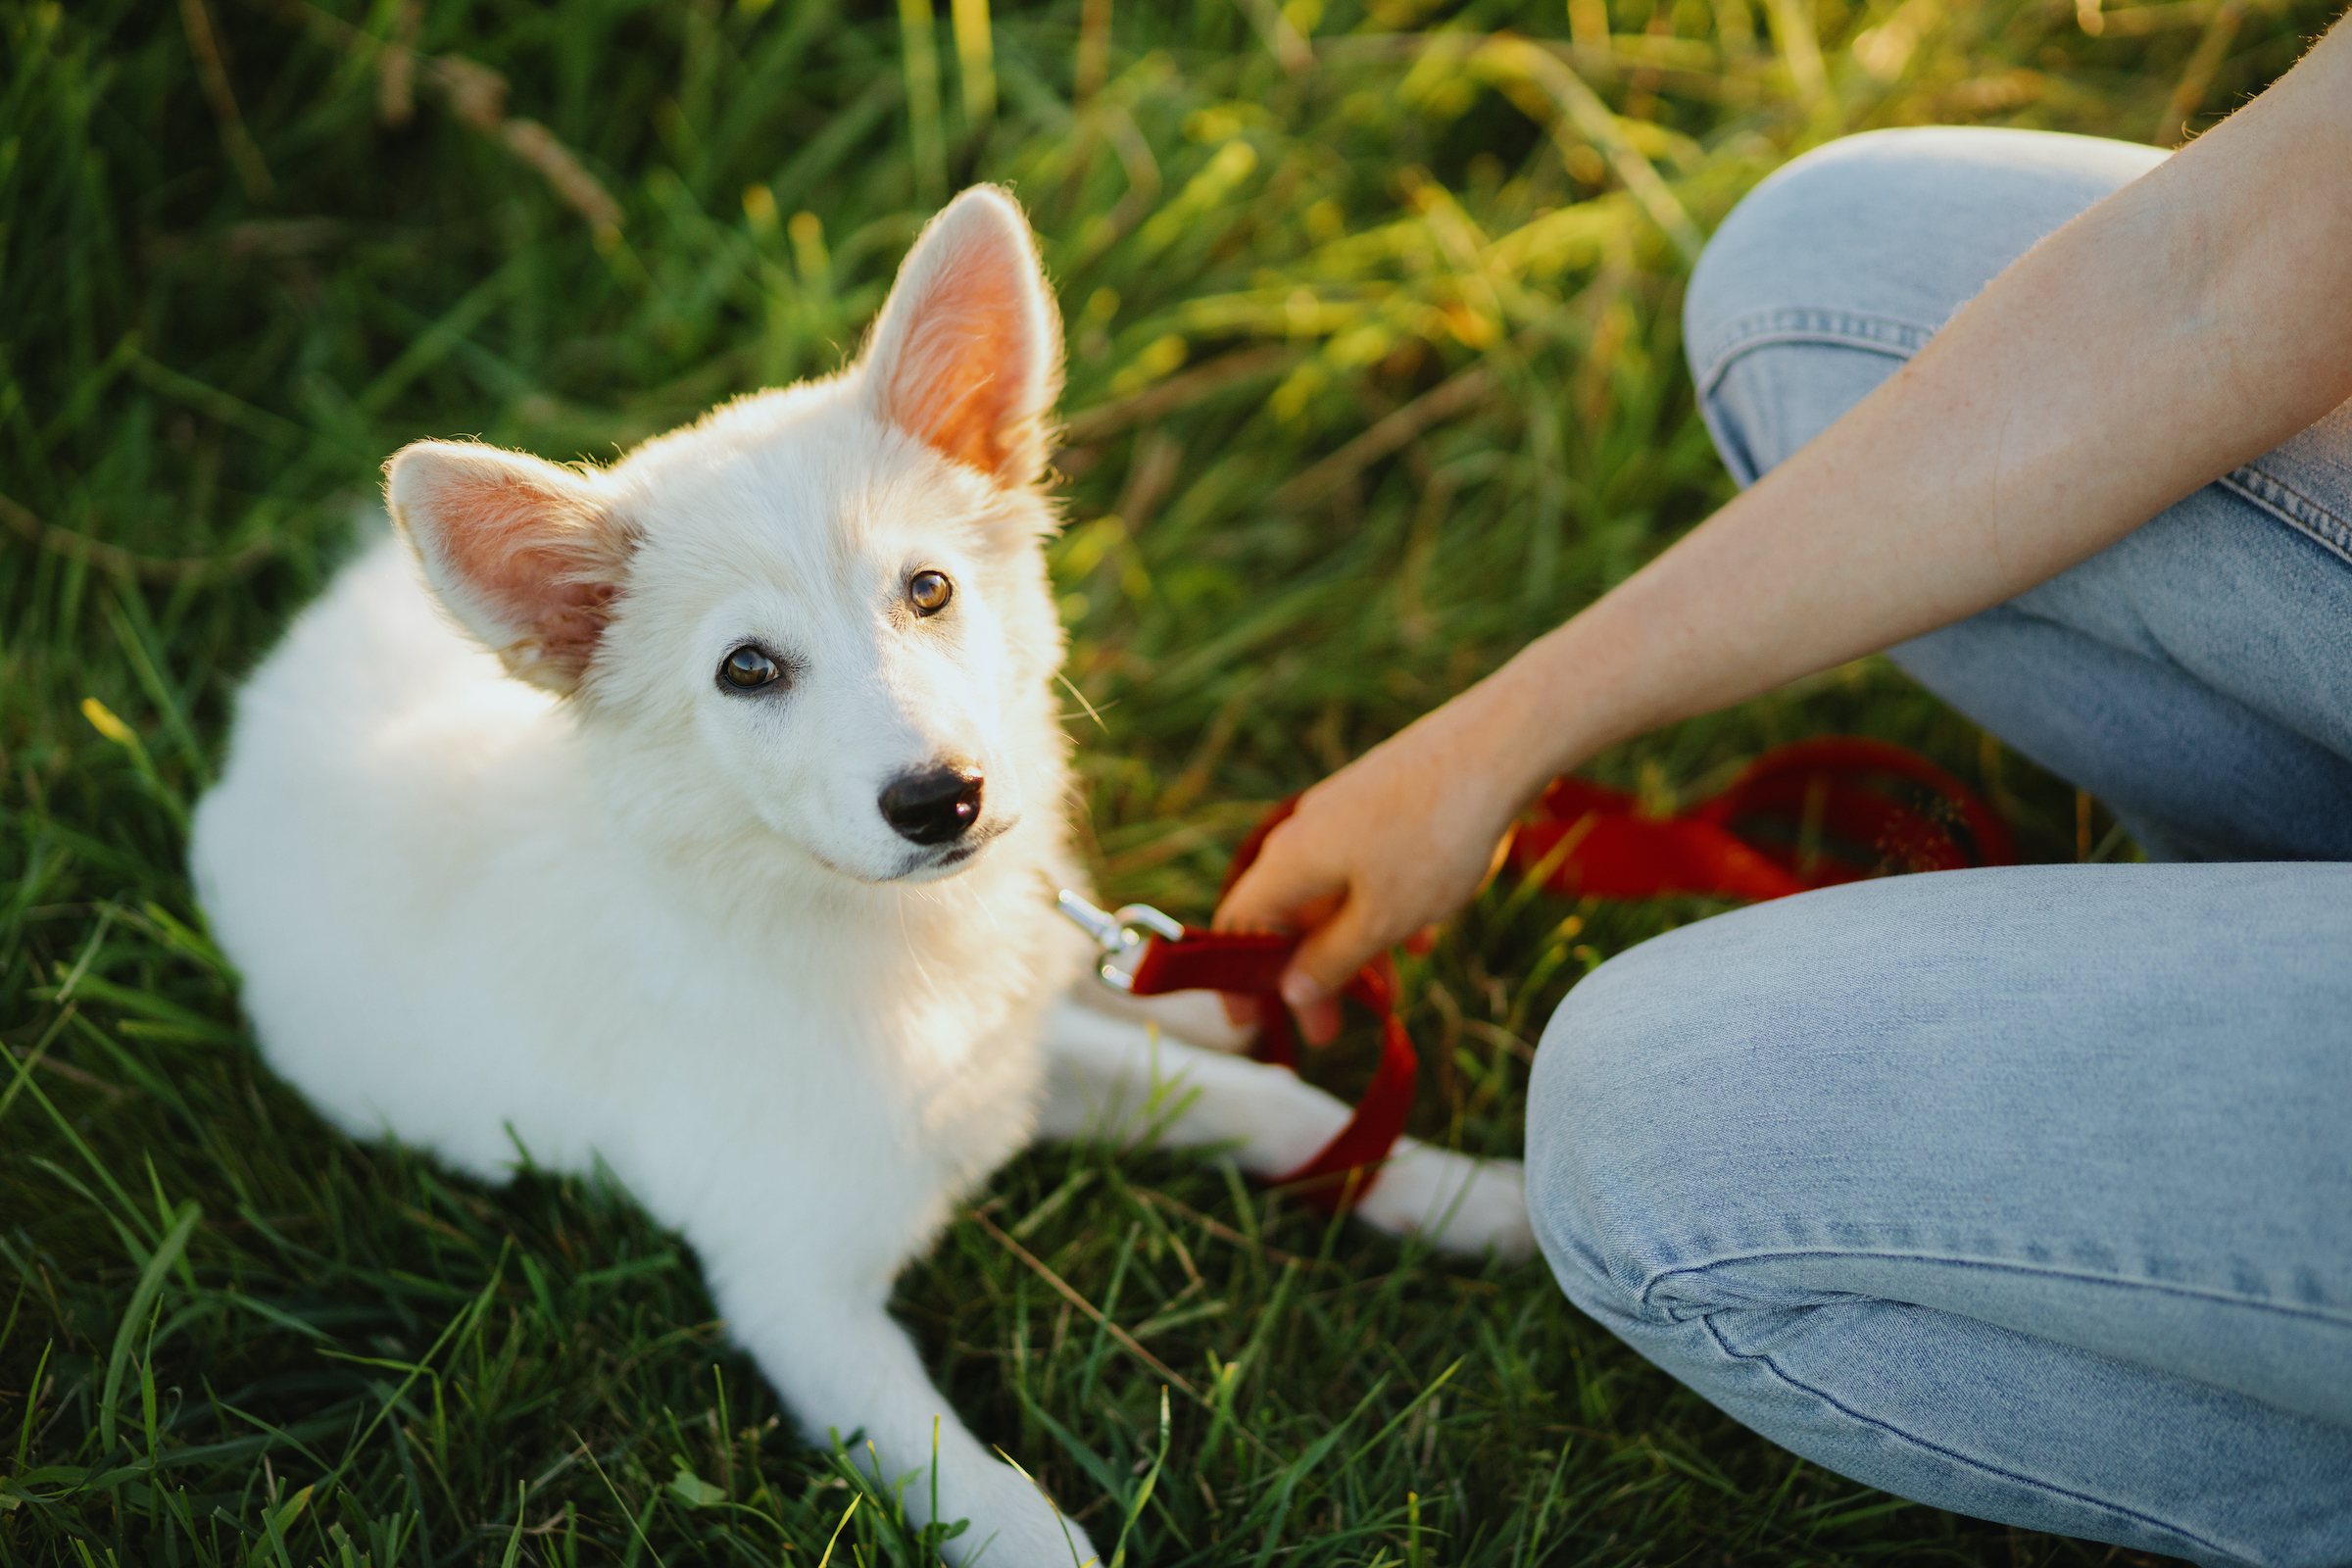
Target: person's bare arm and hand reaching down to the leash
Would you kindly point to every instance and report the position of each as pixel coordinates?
(2172, 333)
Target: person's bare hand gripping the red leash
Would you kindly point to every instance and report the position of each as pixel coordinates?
(1396, 840)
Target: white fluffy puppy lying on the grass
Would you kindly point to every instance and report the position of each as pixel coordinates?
(704, 817)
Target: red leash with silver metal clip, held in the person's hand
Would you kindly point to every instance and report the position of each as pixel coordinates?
(1803, 817)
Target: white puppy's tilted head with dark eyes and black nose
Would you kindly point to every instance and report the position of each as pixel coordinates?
(820, 615)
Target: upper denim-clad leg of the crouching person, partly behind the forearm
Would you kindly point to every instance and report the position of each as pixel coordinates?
(2189, 676)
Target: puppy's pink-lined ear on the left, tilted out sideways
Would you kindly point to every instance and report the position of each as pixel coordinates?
(528, 556)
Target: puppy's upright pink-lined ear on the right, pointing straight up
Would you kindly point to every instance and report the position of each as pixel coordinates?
(968, 351)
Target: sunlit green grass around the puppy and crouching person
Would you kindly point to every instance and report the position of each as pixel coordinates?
(1375, 375)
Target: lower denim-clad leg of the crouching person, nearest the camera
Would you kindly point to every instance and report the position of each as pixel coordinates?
(2024, 1193)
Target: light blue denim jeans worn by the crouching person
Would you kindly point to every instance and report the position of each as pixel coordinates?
(2024, 1193)
